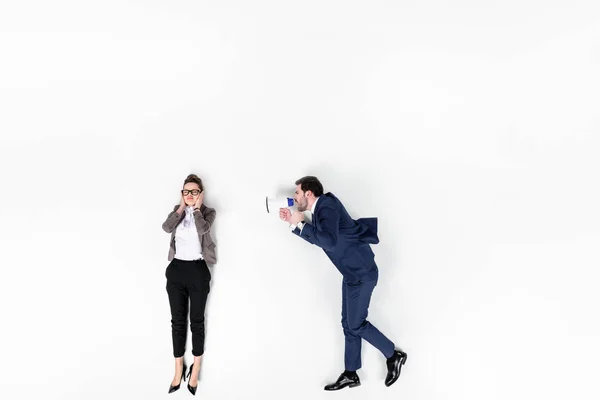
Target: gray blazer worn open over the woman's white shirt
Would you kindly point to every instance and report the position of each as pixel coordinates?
(204, 219)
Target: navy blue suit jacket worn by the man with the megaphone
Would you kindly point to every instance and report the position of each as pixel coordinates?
(345, 241)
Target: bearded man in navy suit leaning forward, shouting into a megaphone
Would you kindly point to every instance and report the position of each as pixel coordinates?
(347, 244)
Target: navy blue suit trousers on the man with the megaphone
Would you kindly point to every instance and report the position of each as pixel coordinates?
(355, 305)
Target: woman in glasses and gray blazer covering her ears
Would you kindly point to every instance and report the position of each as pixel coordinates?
(188, 277)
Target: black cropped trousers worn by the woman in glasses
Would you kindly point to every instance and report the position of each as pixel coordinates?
(188, 282)
